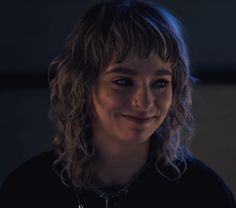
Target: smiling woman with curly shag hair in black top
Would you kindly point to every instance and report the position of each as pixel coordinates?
(120, 100)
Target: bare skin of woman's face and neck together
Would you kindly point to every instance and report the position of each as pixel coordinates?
(131, 100)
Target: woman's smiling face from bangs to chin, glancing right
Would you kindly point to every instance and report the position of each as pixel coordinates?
(131, 100)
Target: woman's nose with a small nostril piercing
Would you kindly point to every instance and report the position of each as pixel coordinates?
(143, 98)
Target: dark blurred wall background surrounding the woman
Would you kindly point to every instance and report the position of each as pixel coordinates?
(34, 32)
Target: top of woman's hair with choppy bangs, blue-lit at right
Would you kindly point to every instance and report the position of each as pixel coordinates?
(113, 32)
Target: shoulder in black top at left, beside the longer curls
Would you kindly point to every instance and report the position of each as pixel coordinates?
(34, 178)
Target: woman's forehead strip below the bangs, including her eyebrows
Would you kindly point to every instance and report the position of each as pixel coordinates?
(136, 65)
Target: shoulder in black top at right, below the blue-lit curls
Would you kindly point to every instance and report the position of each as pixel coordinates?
(204, 182)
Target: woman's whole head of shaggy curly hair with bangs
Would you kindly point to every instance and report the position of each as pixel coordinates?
(117, 29)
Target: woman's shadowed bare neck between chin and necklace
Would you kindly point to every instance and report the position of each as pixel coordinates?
(117, 165)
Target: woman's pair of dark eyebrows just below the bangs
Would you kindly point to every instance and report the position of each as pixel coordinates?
(130, 71)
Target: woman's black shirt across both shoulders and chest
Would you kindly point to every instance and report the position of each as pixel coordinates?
(35, 184)
